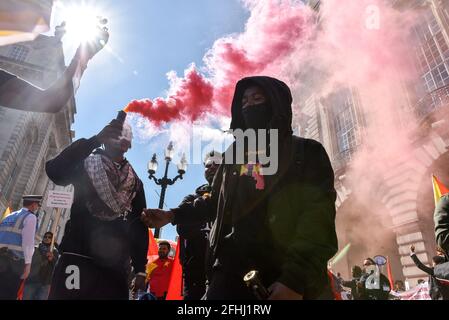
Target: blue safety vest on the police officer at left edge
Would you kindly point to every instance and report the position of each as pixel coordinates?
(11, 232)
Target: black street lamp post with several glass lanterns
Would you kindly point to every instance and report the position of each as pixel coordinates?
(164, 182)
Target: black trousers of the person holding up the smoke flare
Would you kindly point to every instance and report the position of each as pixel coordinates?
(79, 278)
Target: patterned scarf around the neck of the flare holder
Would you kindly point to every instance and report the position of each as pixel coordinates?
(115, 186)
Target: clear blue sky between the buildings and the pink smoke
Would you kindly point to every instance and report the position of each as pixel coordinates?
(148, 39)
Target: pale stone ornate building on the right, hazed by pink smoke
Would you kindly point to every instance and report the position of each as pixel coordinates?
(400, 212)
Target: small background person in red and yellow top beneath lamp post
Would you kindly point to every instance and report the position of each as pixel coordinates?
(159, 272)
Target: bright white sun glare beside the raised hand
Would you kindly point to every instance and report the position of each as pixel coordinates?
(82, 21)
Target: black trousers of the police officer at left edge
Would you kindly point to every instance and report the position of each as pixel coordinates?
(10, 273)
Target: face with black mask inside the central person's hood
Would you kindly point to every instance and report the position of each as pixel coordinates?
(255, 108)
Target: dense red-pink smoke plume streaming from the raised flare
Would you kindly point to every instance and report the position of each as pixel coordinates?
(272, 33)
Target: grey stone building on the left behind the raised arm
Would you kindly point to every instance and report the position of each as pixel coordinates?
(28, 139)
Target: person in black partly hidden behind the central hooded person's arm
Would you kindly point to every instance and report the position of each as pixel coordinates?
(193, 237)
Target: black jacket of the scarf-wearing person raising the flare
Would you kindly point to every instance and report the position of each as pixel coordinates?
(111, 244)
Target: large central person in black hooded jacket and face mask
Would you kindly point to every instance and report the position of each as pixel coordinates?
(282, 225)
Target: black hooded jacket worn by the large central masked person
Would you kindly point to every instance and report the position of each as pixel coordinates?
(289, 234)
